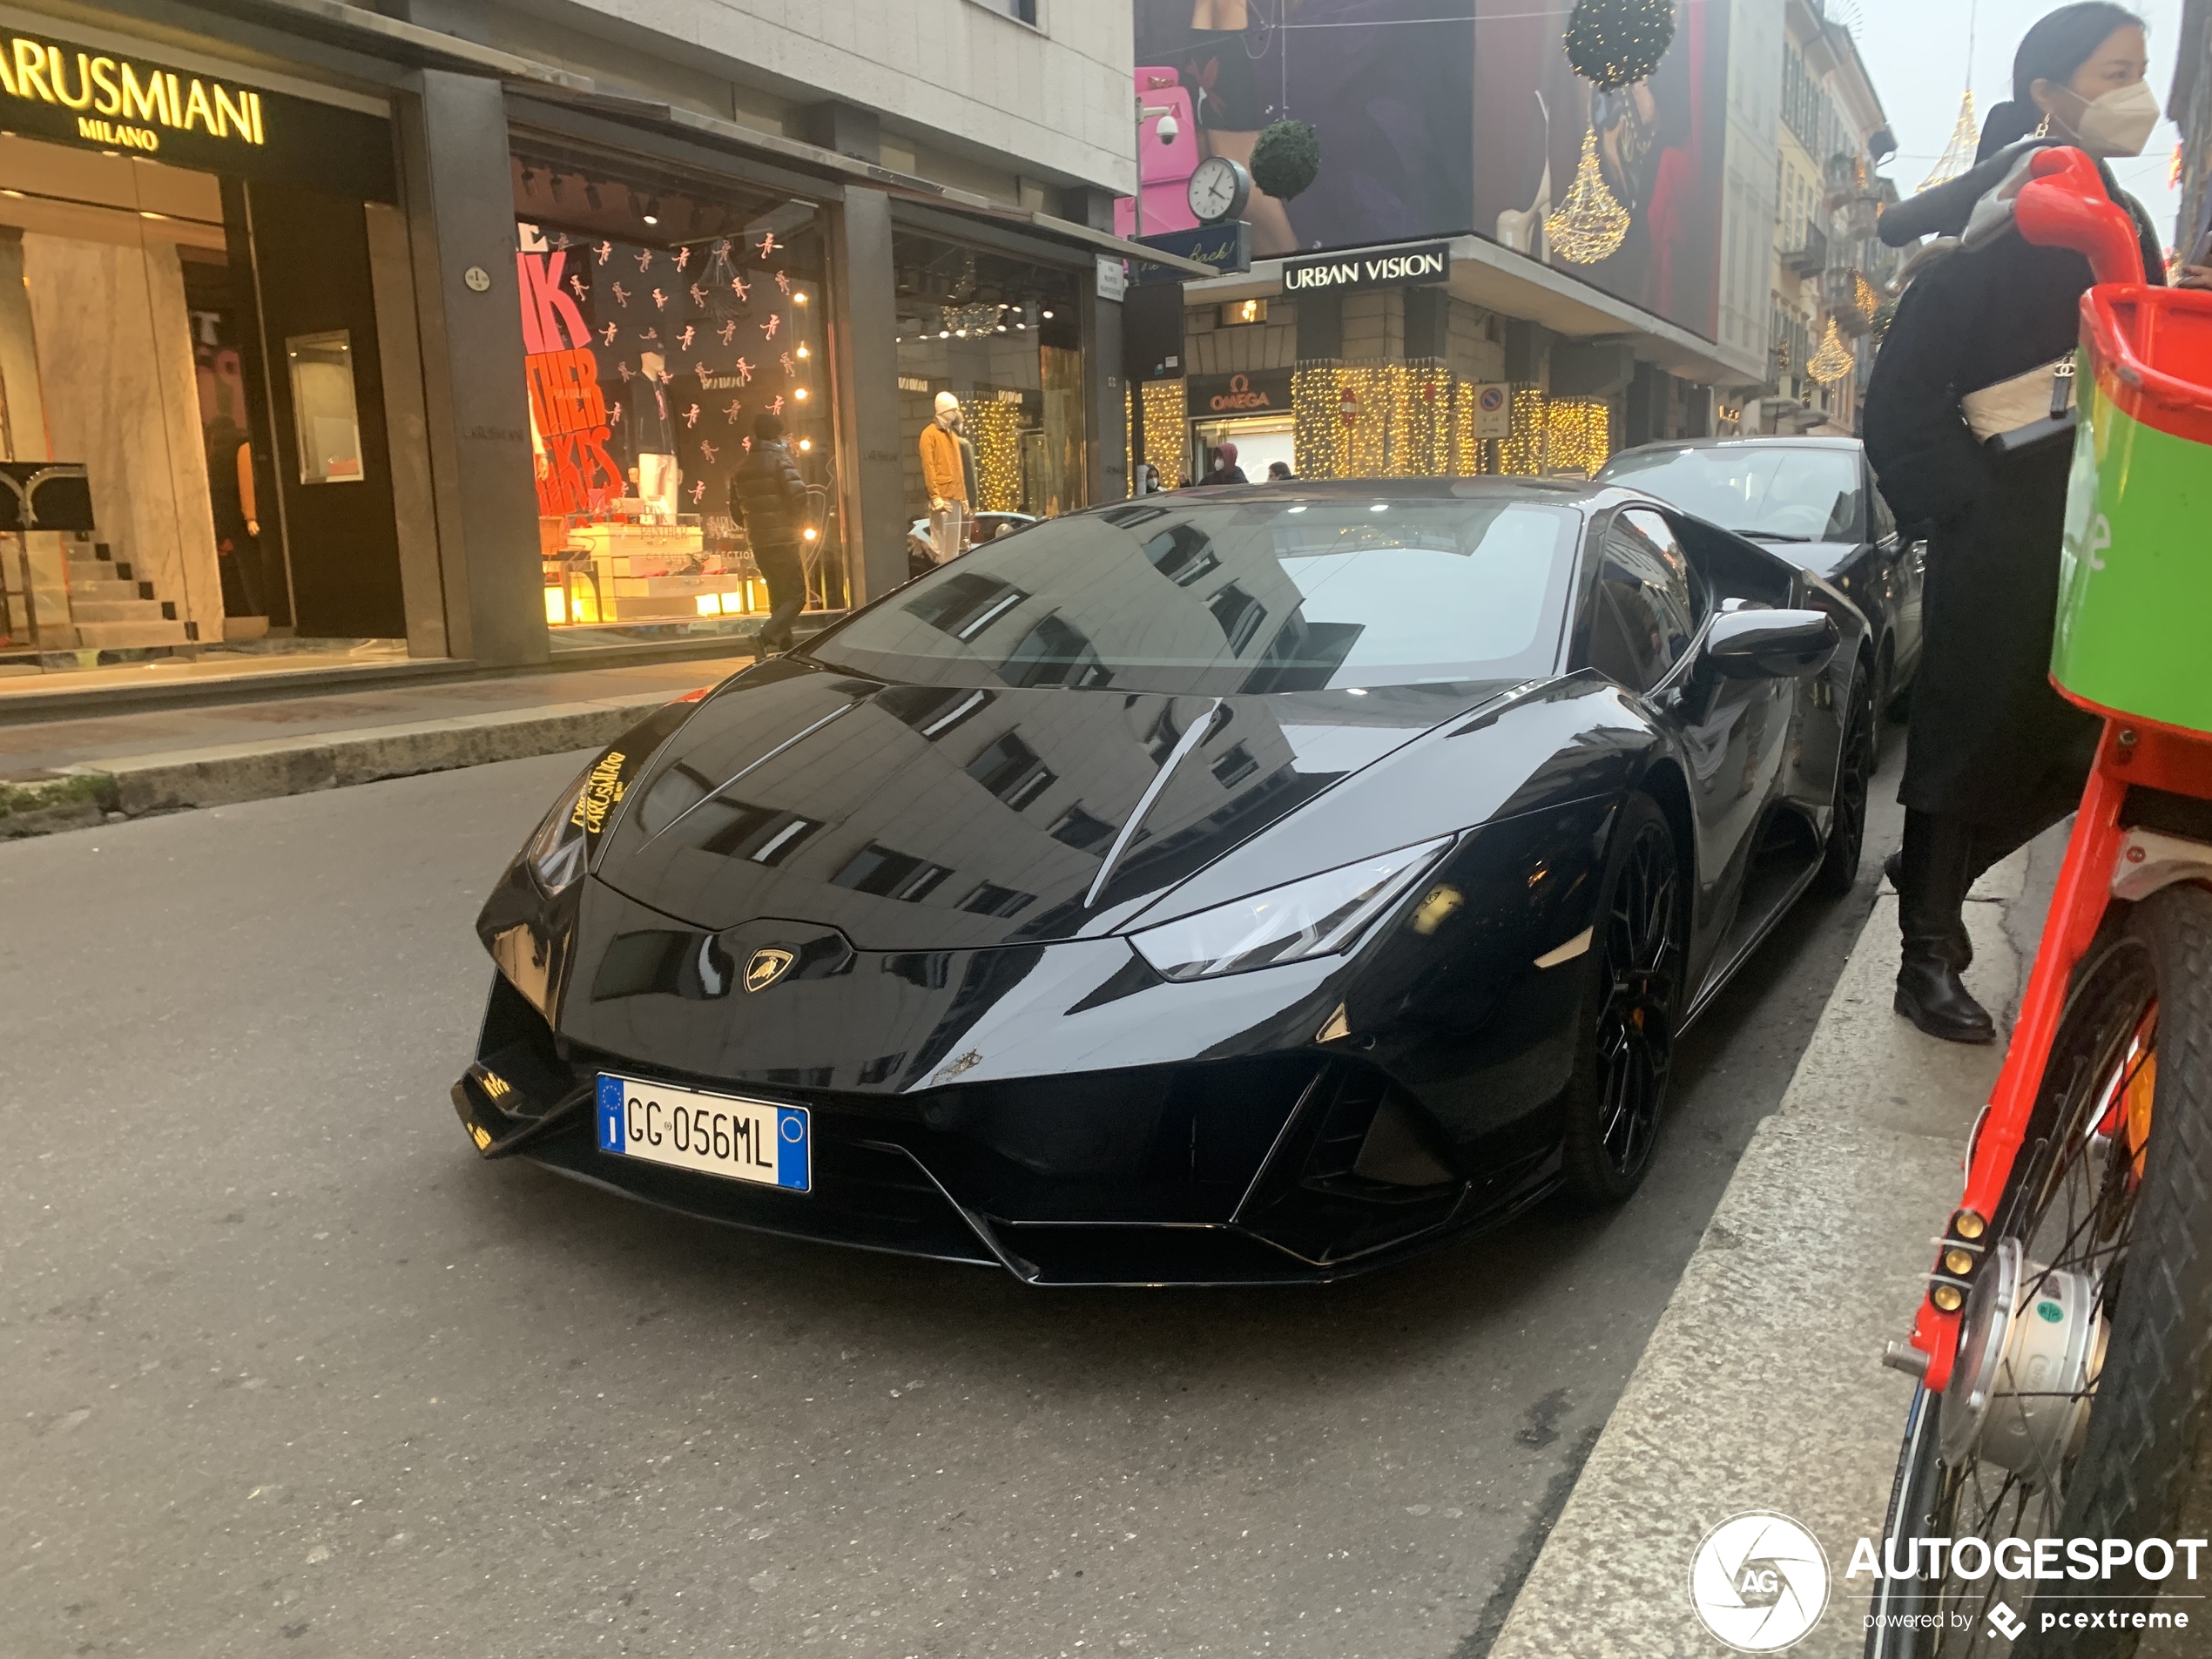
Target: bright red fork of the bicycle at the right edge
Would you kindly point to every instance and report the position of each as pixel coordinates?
(2131, 755)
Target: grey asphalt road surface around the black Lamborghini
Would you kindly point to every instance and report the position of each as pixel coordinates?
(289, 1370)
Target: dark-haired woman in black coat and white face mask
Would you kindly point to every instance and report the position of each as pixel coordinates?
(1994, 753)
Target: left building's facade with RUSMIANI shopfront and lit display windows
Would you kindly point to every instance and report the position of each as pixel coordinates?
(441, 331)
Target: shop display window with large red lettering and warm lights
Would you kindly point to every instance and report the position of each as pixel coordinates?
(671, 331)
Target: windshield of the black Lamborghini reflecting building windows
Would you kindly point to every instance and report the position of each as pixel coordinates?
(1180, 596)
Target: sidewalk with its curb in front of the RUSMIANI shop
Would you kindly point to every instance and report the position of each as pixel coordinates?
(72, 773)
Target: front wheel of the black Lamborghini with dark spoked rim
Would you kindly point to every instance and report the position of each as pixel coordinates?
(1629, 1010)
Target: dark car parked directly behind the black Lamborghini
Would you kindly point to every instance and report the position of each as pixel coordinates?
(1815, 501)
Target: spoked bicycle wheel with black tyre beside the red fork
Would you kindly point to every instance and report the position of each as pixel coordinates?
(2078, 1401)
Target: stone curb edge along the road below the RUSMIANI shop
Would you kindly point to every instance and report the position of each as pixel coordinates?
(229, 773)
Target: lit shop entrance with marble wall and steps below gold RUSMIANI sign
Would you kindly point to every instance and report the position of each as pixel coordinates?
(198, 351)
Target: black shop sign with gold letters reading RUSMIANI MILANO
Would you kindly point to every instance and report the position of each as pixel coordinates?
(105, 101)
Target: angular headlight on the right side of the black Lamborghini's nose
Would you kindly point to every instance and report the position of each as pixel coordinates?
(1311, 917)
